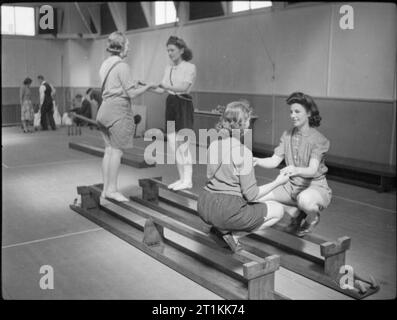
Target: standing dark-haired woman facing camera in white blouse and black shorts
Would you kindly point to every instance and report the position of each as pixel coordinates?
(178, 80)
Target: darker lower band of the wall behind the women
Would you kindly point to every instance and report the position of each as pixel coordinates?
(357, 129)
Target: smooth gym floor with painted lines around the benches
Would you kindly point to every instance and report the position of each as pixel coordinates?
(40, 175)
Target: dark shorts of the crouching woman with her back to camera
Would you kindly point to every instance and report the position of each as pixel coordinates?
(229, 212)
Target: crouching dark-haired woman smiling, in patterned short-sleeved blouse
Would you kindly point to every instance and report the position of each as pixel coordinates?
(303, 148)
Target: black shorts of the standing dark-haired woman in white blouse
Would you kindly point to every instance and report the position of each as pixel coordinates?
(179, 110)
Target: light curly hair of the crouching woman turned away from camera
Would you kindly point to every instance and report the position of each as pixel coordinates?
(235, 116)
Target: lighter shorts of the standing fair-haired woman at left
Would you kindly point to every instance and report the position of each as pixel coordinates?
(120, 134)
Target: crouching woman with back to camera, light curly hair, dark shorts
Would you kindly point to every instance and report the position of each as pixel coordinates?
(229, 201)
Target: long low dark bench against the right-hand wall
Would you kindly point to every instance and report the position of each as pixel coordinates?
(380, 177)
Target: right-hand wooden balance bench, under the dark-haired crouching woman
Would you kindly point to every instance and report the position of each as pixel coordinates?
(312, 256)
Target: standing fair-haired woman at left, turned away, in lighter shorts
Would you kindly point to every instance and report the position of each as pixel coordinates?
(115, 116)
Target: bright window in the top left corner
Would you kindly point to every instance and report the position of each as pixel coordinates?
(17, 21)
